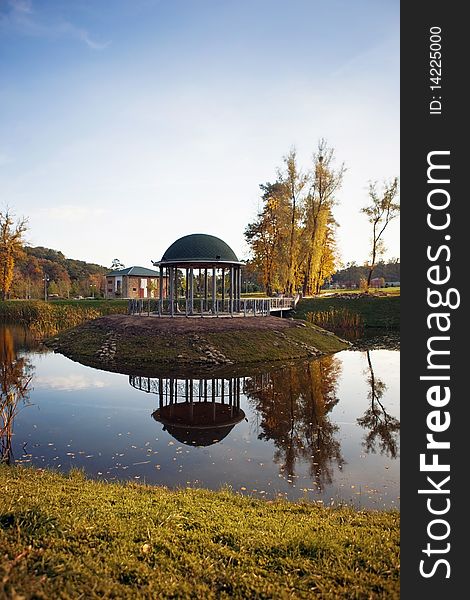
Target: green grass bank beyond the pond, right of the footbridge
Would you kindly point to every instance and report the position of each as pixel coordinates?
(375, 311)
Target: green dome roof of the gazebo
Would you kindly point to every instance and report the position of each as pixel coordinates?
(199, 247)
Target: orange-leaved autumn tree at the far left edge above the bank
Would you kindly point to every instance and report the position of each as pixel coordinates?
(11, 248)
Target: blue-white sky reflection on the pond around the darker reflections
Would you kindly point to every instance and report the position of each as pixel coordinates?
(94, 419)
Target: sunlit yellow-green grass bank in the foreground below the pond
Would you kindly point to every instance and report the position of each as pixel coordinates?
(68, 537)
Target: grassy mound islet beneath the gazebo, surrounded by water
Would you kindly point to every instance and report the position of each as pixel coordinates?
(140, 351)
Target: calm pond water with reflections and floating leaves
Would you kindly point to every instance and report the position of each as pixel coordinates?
(326, 430)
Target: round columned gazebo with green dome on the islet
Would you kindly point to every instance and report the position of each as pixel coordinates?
(212, 272)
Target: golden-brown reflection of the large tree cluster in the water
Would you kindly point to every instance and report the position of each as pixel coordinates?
(294, 403)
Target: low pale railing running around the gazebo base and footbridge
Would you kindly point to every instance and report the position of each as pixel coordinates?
(203, 307)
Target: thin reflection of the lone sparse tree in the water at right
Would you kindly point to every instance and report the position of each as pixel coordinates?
(383, 428)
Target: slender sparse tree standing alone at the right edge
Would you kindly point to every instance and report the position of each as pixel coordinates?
(381, 210)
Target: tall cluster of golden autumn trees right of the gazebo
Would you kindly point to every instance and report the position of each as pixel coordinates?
(292, 241)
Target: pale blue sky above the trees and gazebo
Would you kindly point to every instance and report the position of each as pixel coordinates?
(125, 125)
